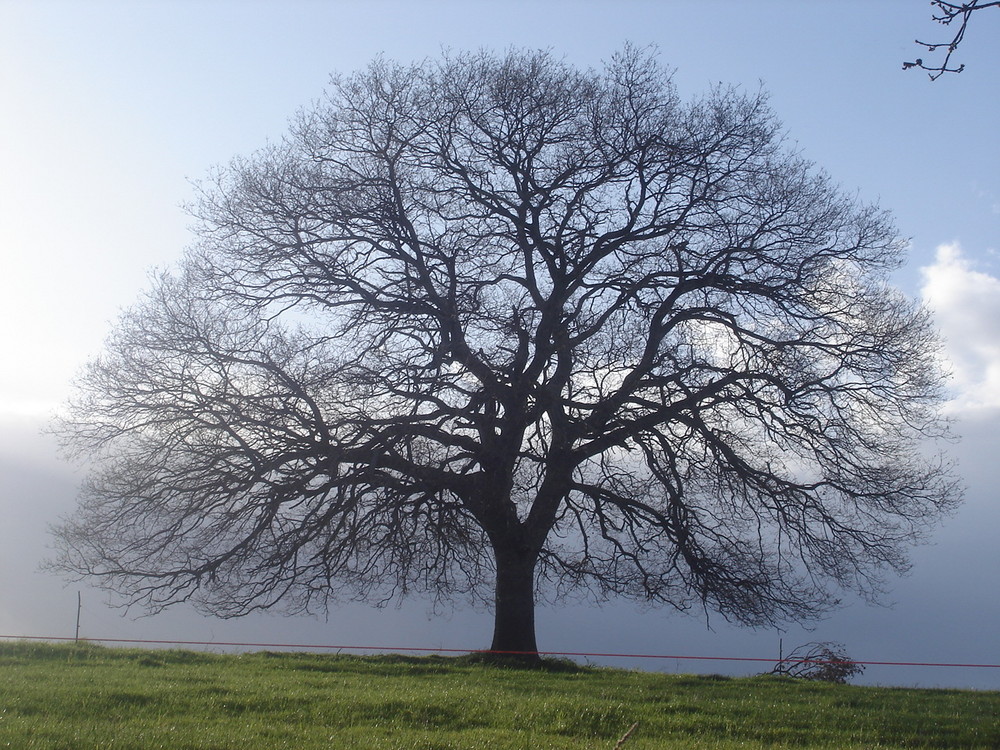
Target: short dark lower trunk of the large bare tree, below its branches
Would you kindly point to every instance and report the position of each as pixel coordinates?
(514, 623)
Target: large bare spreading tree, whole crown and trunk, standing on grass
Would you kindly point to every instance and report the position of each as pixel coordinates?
(497, 327)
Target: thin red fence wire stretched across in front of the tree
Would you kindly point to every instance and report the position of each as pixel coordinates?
(413, 649)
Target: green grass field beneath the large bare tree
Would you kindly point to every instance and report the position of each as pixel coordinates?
(75, 697)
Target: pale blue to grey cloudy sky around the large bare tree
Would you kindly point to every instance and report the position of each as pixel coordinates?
(109, 111)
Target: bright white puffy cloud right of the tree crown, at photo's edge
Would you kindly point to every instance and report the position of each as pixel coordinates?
(966, 306)
